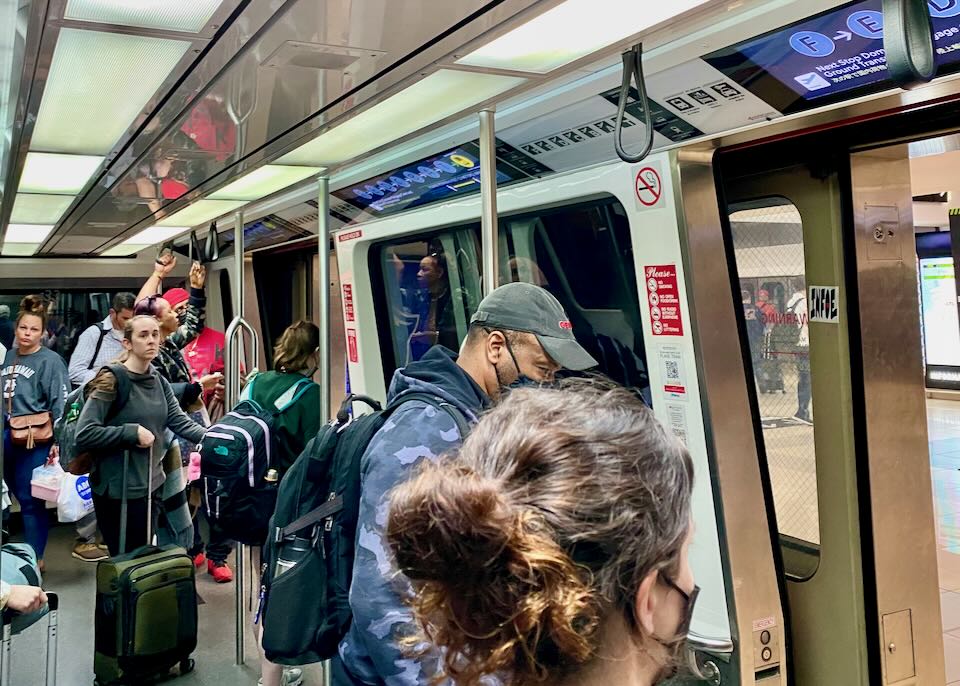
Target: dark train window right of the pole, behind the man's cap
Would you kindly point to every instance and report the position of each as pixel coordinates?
(583, 255)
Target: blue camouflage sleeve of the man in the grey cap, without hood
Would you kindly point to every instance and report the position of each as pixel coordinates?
(378, 594)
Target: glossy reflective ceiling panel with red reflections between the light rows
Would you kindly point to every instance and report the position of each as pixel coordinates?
(306, 57)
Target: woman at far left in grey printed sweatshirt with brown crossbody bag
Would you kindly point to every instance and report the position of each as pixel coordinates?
(34, 383)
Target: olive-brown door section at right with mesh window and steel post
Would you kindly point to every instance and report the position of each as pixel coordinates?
(821, 267)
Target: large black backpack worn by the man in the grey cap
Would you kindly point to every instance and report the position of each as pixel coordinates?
(308, 557)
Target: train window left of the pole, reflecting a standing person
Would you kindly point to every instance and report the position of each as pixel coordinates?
(432, 287)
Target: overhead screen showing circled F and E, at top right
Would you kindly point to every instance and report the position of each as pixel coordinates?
(833, 56)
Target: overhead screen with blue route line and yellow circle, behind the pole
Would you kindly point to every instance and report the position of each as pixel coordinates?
(439, 177)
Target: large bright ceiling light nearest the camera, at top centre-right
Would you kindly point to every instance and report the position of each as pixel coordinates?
(571, 30)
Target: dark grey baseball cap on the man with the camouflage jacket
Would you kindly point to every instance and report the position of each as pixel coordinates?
(531, 309)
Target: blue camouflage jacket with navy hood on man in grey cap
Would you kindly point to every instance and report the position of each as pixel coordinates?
(370, 652)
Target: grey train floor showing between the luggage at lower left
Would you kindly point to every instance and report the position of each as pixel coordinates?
(75, 581)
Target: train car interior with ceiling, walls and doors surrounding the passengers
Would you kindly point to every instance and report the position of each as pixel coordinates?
(776, 276)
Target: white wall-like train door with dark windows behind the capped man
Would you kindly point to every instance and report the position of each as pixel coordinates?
(413, 280)
